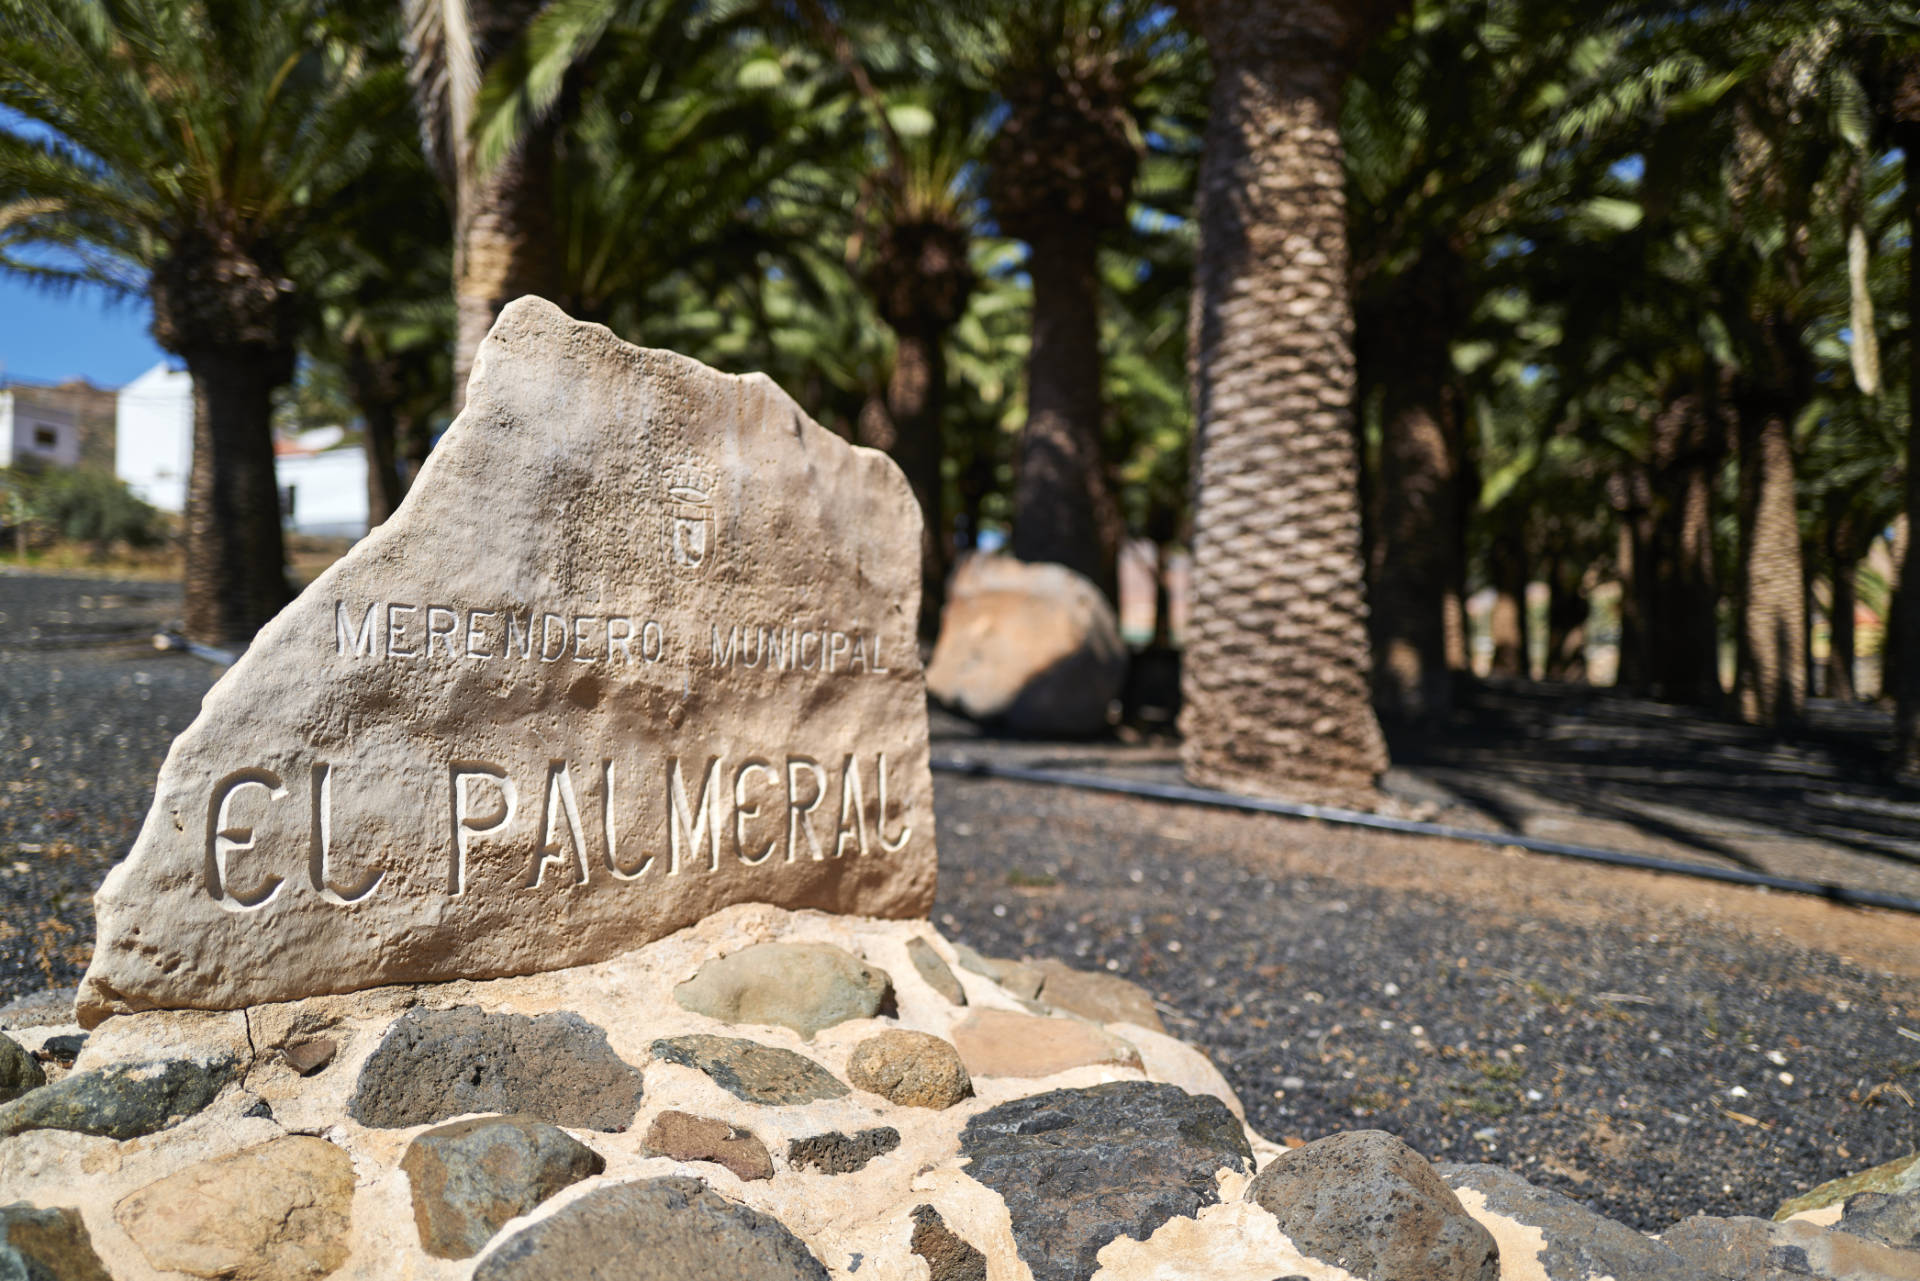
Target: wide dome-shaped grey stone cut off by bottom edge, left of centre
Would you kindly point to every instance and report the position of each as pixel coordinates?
(656, 1230)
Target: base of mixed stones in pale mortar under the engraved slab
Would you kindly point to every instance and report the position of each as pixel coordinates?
(594, 1123)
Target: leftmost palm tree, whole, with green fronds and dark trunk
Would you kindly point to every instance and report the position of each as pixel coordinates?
(189, 151)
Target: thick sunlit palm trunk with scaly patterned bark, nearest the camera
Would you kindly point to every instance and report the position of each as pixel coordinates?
(1278, 665)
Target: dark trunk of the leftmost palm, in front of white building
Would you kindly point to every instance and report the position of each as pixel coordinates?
(235, 550)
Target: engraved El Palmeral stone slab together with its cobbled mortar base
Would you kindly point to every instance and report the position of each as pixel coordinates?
(544, 896)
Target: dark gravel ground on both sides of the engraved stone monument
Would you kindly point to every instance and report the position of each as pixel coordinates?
(1652, 1046)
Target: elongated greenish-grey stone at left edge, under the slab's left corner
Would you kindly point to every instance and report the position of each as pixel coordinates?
(122, 1101)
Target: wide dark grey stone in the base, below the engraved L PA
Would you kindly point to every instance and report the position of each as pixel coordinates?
(446, 1063)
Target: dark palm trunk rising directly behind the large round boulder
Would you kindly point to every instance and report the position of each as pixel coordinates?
(1063, 502)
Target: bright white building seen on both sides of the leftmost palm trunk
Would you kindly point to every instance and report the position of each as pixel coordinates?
(324, 489)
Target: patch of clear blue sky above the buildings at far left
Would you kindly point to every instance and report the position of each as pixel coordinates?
(78, 335)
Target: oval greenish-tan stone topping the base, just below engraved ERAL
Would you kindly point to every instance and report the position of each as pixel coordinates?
(800, 986)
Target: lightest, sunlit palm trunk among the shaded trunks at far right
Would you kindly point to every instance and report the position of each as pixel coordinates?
(1773, 610)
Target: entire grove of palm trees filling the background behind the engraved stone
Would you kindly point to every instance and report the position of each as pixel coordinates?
(1360, 302)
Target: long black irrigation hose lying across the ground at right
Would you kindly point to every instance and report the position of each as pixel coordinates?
(1356, 819)
